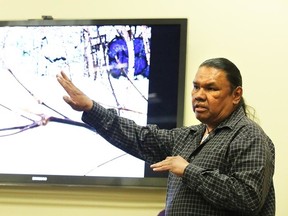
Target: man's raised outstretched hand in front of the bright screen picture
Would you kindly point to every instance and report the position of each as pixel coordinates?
(76, 99)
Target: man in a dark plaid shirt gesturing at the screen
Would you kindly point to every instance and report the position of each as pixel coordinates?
(222, 166)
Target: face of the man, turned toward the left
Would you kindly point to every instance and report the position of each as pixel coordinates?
(212, 99)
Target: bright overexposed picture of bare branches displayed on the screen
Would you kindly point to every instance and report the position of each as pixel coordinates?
(39, 132)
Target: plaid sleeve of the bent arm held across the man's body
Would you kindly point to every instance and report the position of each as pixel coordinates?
(245, 186)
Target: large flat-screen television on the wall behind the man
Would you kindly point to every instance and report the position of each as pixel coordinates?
(136, 66)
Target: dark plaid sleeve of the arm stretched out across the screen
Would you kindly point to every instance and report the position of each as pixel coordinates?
(144, 142)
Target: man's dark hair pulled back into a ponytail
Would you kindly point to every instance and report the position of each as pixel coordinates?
(233, 76)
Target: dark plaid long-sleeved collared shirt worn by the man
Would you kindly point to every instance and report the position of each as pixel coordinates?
(230, 173)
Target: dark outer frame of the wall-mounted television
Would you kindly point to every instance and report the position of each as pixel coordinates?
(159, 180)
